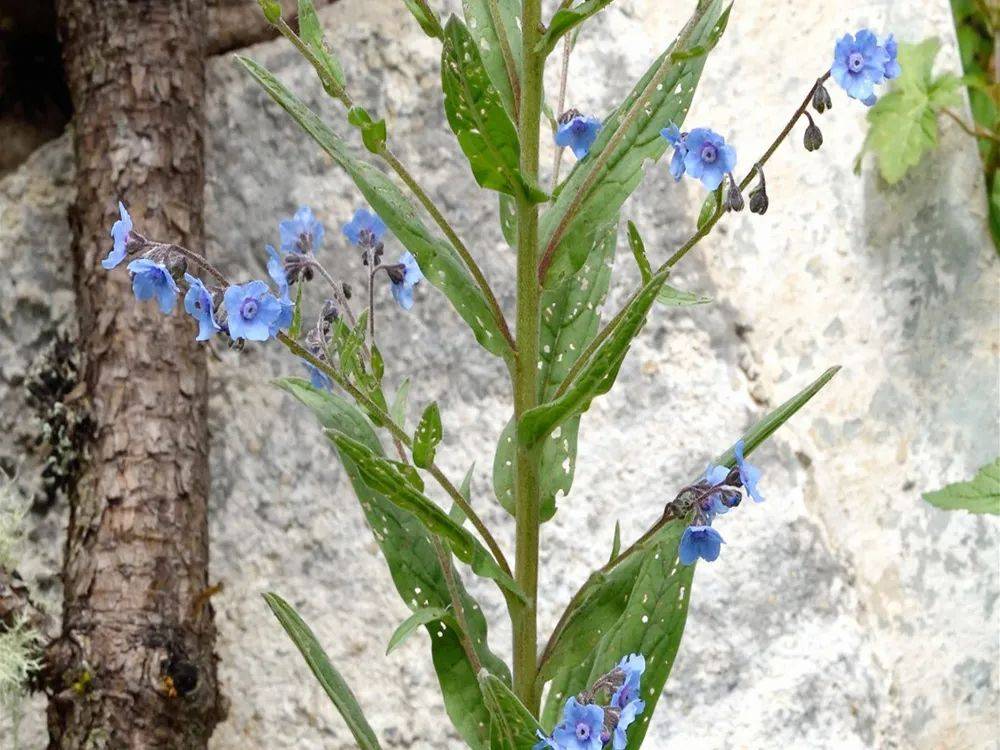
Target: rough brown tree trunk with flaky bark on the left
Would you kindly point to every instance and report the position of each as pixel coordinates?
(134, 664)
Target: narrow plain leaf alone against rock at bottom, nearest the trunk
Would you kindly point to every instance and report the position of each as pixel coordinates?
(327, 676)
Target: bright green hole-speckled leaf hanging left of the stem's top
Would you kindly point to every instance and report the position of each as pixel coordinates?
(476, 114)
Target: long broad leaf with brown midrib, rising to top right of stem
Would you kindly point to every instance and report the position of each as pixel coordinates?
(598, 185)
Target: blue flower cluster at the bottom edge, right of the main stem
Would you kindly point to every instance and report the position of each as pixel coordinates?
(587, 725)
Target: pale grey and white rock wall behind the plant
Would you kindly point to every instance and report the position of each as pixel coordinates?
(844, 613)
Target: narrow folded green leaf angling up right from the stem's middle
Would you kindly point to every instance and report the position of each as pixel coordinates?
(598, 374)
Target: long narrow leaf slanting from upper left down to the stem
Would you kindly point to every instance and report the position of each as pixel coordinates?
(438, 260)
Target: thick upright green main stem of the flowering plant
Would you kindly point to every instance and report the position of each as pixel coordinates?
(526, 486)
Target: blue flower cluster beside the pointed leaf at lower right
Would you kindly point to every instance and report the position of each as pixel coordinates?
(718, 492)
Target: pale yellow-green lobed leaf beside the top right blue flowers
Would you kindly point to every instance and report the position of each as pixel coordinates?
(903, 124)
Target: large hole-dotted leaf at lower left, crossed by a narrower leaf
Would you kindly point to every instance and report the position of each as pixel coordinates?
(416, 571)
